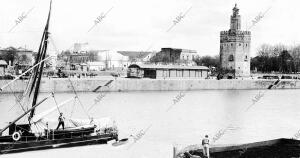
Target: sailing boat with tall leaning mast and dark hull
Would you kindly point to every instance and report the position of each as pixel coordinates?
(35, 134)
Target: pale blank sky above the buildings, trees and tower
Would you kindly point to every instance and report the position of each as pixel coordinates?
(141, 25)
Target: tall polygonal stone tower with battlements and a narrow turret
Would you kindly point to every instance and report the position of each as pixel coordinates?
(235, 47)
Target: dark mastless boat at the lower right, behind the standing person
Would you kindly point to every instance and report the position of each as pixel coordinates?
(276, 148)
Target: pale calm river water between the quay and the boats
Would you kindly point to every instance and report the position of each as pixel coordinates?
(174, 117)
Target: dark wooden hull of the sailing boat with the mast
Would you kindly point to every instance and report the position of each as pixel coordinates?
(14, 147)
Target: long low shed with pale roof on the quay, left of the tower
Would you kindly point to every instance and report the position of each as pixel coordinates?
(167, 71)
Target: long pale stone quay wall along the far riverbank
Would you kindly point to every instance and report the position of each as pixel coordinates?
(118, 84)
